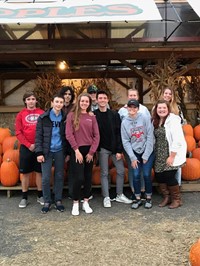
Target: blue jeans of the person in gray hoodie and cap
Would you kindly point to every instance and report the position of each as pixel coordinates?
(146, 169)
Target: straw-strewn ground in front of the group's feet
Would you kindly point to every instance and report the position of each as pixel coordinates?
(113, 236)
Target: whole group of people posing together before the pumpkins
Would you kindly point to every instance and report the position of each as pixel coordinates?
(75, 133)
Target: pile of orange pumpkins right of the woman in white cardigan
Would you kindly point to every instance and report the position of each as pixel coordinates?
(191, 170)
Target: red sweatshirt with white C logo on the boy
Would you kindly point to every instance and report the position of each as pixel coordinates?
(25, 125)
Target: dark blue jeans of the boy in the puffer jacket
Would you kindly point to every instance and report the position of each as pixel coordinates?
(58, 159)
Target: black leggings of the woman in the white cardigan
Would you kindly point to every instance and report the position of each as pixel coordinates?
(167, 177)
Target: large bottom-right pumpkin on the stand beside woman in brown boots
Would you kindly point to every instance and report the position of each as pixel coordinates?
(191, 170)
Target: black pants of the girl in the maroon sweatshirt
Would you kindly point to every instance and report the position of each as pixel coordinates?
(81, 174)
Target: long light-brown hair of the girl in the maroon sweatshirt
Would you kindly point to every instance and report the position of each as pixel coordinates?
(77, 109)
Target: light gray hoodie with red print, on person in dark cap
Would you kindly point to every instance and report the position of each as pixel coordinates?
(137, 136)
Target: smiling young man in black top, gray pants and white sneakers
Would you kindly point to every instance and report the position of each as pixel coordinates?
(110, 146)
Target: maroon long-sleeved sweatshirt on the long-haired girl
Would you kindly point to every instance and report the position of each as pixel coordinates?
(86, 135)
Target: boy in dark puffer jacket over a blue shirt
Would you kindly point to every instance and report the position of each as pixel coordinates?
(50, 147)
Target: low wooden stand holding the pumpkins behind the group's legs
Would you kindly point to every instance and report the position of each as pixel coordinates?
(187, 186)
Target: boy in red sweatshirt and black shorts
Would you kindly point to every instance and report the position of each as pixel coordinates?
(25, 128)
